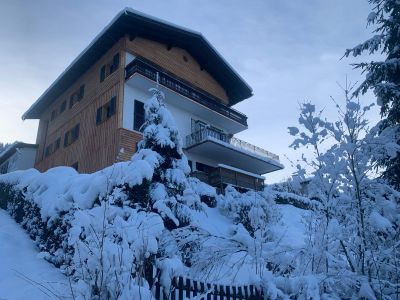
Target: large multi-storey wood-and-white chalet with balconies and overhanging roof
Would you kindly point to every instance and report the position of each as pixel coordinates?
(90, 117)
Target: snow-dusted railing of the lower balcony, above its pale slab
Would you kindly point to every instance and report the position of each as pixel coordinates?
(205, 133)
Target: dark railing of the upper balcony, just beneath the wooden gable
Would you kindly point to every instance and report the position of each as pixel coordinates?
(149, 70)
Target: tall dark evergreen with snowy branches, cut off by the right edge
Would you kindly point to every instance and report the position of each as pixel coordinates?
(383, 77)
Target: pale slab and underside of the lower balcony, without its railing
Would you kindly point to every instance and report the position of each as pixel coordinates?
(227, 154)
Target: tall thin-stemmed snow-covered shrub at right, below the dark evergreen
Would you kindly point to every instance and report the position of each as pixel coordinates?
(353, 229)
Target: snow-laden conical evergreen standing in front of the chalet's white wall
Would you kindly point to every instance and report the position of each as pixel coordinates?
(169, 193)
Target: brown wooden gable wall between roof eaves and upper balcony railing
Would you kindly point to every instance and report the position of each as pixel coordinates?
(179, 62)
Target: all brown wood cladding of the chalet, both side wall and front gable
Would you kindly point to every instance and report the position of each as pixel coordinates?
(100, 145)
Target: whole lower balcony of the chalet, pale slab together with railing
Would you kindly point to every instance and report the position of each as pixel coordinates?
(228, 150)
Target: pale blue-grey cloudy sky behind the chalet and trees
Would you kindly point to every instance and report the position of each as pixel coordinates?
(287, 50)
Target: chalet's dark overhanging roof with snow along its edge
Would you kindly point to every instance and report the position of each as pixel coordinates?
(130, 21)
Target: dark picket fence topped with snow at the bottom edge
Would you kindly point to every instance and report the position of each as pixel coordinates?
(185, 288)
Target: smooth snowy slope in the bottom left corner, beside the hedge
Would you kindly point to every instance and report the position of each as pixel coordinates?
(23, 275)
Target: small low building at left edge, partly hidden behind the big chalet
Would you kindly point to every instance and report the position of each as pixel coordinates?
(17, 156)
